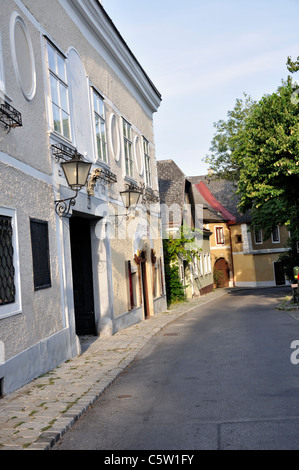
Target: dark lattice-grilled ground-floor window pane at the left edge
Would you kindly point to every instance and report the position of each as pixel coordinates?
(7, 271)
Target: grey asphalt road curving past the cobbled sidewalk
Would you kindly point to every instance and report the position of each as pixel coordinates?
(220, 377)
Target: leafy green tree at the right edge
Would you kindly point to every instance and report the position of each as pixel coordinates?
(258, 148)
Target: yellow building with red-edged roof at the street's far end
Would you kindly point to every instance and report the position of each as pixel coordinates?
(241, 257)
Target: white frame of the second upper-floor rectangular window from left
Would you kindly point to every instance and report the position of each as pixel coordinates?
(101, 145)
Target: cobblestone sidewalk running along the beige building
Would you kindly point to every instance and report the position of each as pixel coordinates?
(37, 415)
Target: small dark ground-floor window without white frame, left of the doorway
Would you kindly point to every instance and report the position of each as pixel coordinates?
(40, 254)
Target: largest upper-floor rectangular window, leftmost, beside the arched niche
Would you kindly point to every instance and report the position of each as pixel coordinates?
(59, 92)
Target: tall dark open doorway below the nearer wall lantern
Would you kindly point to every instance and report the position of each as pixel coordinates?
(82, 276)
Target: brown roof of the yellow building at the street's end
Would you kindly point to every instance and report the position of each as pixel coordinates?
(225, 192)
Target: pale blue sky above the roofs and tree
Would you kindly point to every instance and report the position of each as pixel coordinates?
(203, 55)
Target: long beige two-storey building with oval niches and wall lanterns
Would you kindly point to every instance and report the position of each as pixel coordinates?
(72, 261)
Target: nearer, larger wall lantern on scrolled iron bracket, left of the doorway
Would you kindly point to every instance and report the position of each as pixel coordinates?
(76, 172)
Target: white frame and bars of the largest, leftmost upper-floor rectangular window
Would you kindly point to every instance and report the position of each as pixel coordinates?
(63, 83)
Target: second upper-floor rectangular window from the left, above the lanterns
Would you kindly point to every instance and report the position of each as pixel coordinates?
(100, 126)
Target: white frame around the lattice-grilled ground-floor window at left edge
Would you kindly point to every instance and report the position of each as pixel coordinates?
(16, 307)
